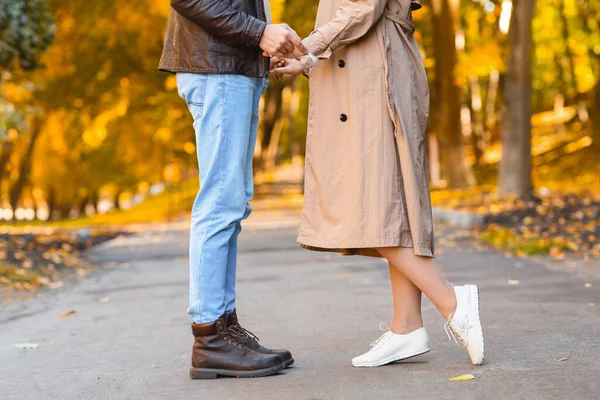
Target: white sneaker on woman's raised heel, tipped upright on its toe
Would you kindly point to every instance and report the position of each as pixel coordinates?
(465, 324)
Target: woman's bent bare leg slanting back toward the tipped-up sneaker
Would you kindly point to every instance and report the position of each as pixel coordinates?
(424, 273)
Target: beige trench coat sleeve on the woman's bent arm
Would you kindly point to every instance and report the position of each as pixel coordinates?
(353, 19)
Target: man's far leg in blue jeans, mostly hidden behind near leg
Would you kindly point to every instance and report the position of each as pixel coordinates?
(260, 86)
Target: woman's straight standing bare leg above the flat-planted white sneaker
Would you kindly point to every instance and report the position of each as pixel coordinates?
(407, 303)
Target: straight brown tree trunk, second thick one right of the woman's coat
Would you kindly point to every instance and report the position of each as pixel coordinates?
(515, 165)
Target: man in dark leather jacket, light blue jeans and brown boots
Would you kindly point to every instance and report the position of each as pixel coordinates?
(216, 49)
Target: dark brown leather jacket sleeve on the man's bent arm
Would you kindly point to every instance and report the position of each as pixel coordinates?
(220, 18)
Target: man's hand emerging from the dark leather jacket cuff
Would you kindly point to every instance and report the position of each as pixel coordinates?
(281, 41)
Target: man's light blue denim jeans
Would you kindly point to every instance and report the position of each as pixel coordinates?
(225, 112)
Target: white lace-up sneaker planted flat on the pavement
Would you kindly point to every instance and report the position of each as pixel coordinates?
(392, 347)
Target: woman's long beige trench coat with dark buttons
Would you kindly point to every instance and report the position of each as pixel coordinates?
(366, 182)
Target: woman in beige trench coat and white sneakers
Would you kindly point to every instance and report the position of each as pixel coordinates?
(366, 190)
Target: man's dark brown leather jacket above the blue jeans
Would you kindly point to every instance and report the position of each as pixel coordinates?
(215, 36)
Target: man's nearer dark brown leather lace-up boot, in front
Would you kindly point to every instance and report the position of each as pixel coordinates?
(217, 353)
